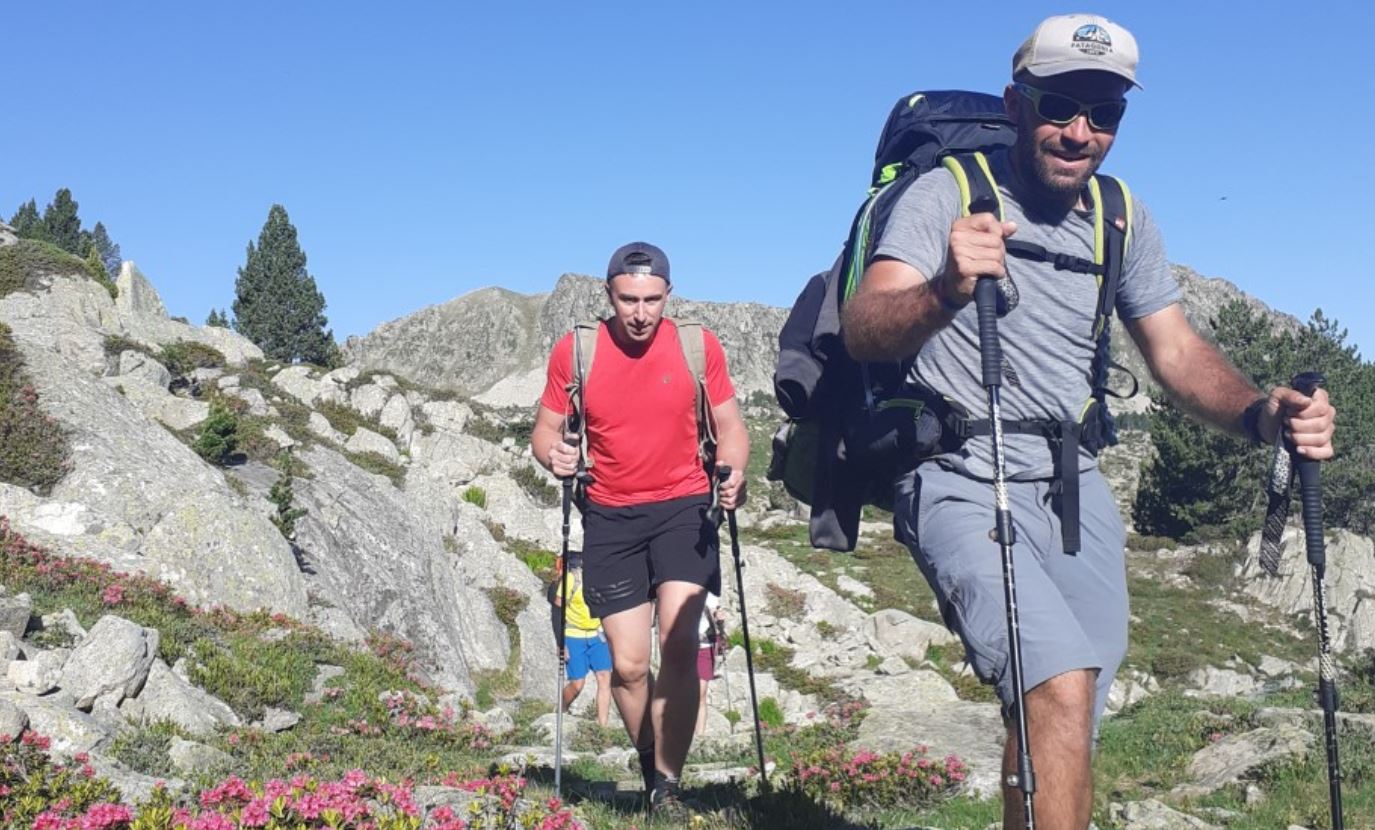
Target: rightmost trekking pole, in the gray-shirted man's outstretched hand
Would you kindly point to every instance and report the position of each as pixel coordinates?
(1311, 493)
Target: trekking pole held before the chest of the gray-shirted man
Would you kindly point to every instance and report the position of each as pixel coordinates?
(991, 359)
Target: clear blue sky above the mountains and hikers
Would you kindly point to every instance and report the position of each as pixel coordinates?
(430, 149)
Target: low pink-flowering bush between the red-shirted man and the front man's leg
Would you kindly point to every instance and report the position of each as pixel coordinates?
(868, 780)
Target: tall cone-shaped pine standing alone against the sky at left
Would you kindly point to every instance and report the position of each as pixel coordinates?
(277, 304)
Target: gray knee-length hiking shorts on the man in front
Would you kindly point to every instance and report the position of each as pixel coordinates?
(1072, 609)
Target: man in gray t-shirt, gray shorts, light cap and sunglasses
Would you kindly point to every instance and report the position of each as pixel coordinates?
(1066, 100)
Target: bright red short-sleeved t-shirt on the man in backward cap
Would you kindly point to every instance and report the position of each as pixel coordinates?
(641, 428)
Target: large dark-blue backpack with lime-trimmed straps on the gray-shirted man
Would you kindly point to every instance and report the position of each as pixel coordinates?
(855, 428)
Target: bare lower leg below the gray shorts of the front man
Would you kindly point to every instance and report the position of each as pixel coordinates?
(1061, 726)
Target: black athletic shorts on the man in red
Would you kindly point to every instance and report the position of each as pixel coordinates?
(629, 552)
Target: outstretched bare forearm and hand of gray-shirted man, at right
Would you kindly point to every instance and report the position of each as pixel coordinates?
(1202, 381)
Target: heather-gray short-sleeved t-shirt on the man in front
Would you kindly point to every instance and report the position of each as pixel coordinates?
(1047, 340)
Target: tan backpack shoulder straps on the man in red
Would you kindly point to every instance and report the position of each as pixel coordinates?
(694, 344)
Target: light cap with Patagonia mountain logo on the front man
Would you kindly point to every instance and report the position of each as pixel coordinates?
(1077, 43)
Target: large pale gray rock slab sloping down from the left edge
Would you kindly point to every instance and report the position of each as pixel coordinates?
(135, 497)
